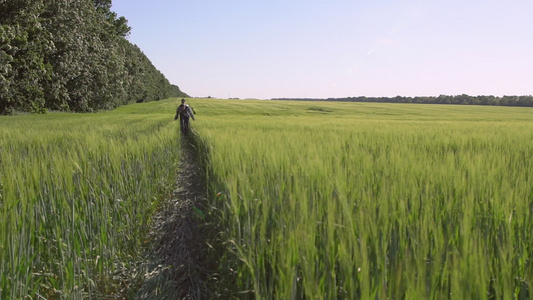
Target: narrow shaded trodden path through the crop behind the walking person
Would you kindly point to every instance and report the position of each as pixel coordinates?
(178, 268)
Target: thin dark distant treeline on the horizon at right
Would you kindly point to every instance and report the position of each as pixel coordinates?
(442, 99)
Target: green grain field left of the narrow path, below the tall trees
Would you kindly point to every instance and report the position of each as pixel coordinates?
(76, 194)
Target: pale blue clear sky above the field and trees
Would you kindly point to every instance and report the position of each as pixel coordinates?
(333, 48)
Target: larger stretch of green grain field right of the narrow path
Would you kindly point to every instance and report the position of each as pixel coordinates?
(324, 200)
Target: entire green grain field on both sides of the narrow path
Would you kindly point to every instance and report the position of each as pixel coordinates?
(312, 200)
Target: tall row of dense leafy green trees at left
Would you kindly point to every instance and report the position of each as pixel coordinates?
(72, 56)
